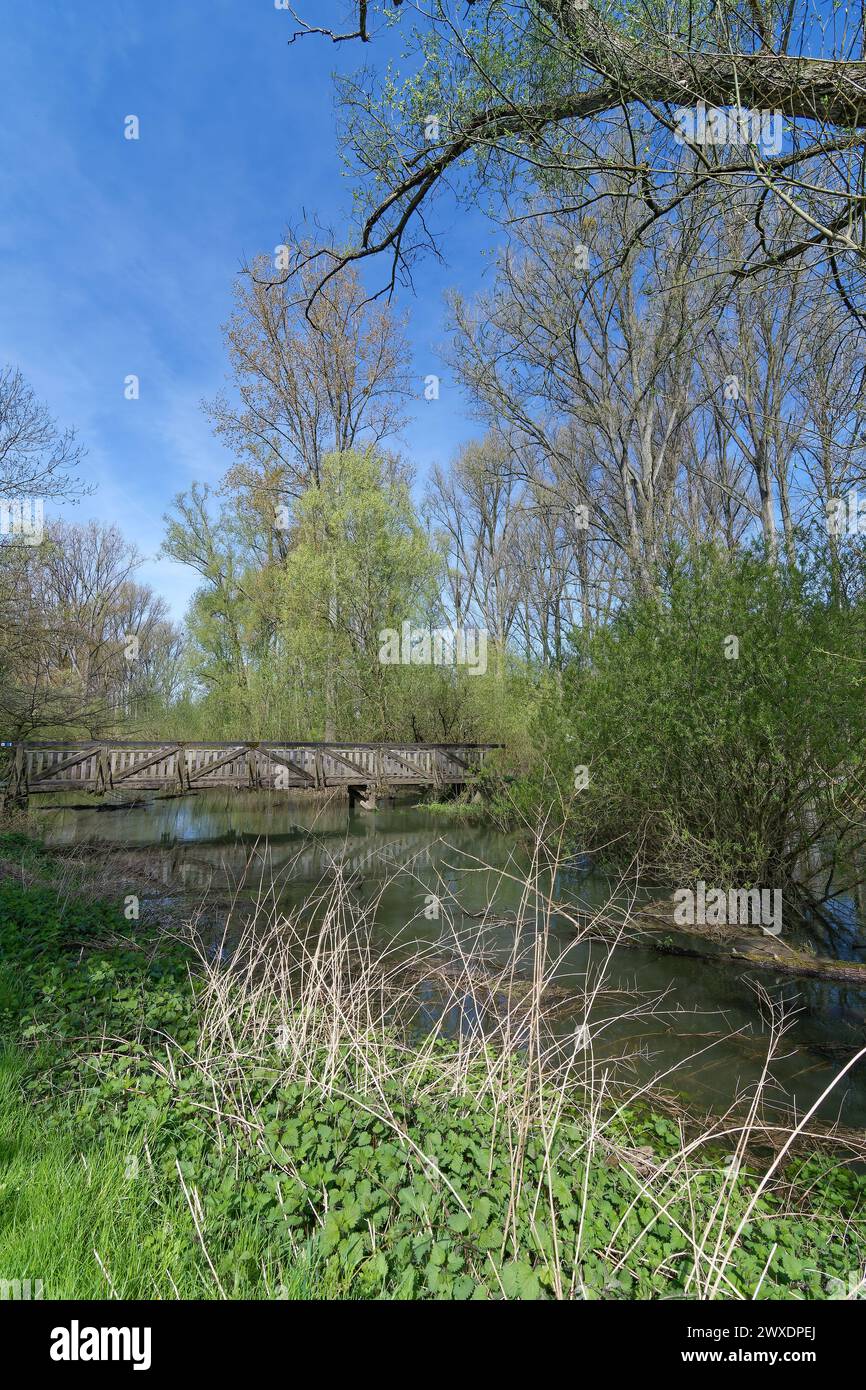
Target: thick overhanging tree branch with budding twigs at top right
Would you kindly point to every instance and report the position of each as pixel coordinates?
(508, 88)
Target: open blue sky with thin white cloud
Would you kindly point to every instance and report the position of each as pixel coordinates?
(119, 256)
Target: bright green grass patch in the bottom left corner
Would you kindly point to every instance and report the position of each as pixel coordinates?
(98, 1221)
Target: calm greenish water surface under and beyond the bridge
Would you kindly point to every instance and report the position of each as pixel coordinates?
(218, 842)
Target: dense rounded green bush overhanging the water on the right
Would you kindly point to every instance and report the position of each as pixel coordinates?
(705, 758)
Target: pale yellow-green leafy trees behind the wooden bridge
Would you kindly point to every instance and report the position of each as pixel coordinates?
(291, 647)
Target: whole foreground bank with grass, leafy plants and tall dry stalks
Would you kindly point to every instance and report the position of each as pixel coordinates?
(174, 1129)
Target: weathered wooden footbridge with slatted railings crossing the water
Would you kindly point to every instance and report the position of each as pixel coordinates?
(365, 771)
